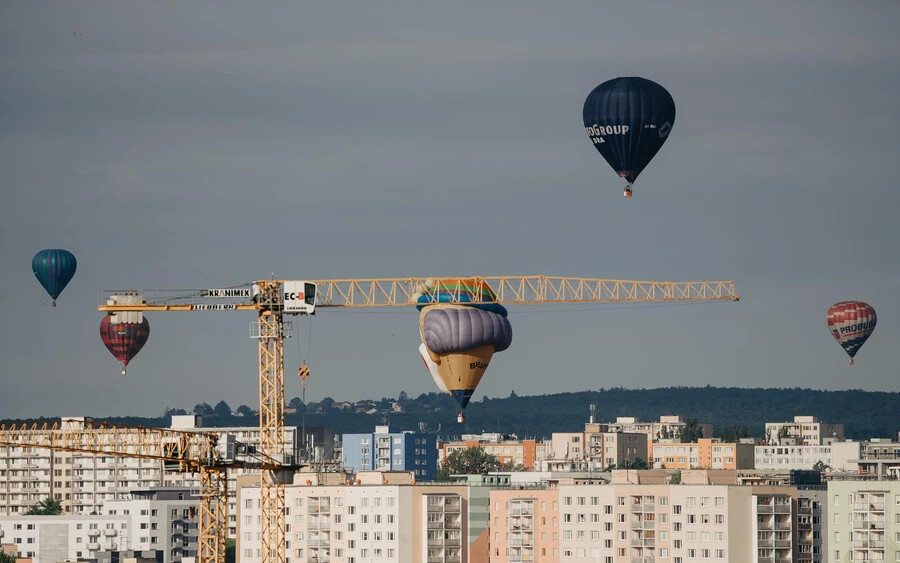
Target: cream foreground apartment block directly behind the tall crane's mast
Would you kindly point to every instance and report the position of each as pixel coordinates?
(379, 517)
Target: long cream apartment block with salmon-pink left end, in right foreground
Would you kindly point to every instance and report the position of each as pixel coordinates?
(640, 518)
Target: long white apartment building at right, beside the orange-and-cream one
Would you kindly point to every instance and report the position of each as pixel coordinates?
(839, 456)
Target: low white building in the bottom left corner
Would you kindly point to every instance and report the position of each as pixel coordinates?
(49, 539)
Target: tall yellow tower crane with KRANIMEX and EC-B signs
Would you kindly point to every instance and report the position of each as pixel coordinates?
(273, 299)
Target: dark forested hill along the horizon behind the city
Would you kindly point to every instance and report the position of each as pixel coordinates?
(865, 414)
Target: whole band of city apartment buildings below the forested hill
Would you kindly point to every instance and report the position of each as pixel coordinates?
(755, 498)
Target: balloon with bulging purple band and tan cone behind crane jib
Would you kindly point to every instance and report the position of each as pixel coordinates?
(460, 338)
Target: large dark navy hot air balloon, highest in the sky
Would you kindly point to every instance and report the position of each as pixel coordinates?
(628, 119)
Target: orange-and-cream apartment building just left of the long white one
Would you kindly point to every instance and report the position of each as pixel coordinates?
(706, 453)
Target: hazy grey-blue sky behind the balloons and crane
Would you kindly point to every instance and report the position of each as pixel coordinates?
(208, 144)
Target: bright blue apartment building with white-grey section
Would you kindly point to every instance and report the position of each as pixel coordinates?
(389, 450)
